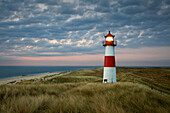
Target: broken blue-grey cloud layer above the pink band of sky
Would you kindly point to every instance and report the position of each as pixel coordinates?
(68, 27)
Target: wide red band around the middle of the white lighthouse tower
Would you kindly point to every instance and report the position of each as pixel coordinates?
(109, 61)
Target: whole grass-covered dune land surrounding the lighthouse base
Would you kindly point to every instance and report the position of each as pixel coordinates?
(137, 90)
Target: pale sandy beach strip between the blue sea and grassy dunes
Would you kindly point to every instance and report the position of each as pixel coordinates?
(26, 77)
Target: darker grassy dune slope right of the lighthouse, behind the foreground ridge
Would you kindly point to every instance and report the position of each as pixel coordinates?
(155, 78)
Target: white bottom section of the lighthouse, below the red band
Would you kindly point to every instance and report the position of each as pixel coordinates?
(109, 74)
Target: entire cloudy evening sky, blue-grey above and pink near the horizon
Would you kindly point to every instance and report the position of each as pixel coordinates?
(70, 32)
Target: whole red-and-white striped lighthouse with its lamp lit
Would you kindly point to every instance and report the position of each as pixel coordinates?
(109, 74)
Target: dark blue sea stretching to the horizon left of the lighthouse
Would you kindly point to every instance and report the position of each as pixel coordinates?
(14, 71)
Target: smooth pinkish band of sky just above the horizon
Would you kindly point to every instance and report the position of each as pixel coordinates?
(150, 56)
